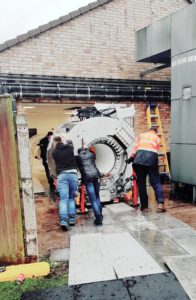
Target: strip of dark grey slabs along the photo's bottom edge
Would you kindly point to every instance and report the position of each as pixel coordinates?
(150, 287)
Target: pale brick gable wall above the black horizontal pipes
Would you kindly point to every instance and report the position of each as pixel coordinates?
(100, 43)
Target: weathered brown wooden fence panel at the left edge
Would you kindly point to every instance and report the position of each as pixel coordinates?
(11, 233)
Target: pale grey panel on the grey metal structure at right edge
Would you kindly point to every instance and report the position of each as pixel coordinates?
(183, 74)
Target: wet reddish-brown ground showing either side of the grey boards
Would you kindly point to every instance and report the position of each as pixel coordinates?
(51, 237)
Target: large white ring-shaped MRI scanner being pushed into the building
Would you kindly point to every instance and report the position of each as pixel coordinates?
(112, 138)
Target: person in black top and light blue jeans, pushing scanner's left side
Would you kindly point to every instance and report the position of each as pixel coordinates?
(67, 181)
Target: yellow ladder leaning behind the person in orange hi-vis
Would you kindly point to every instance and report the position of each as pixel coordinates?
(154, 120)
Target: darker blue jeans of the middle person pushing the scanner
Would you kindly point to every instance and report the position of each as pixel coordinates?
(92, 188)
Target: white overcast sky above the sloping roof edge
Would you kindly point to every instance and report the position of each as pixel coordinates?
(20, 16)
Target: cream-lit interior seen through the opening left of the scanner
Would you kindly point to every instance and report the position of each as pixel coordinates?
(42, 118)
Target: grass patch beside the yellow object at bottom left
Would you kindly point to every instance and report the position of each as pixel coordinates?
(58, 277)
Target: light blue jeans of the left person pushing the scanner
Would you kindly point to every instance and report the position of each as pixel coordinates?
(67, 184)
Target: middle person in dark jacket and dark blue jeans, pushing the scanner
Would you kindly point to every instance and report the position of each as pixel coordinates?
(90, 177)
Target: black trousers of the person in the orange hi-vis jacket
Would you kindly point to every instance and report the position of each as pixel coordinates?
(142, 171)
